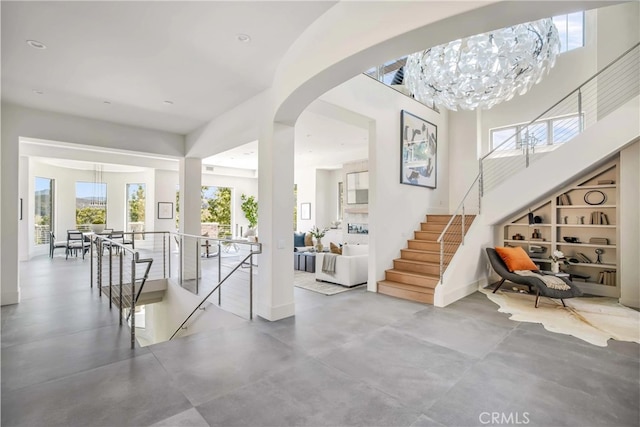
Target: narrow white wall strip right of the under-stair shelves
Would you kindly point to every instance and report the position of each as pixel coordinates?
(629, 208)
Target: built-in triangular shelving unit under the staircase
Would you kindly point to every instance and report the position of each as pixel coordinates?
(582, 211)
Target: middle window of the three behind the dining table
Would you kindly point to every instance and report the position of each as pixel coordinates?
(91, 204)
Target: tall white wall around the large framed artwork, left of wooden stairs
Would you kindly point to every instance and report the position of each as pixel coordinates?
(395, 210)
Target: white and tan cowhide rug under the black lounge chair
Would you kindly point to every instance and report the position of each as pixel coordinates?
(592, 319)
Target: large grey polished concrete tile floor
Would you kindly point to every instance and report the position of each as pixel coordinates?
(355, 358)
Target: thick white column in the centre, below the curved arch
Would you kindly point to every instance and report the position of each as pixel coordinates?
(275, 222)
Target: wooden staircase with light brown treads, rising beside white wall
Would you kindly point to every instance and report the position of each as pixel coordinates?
(416, 273)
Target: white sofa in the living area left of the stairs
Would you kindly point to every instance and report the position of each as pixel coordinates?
(351, 267)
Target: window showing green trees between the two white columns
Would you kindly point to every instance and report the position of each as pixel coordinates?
(216, 208)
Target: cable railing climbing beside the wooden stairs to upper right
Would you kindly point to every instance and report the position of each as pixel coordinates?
(600, 95)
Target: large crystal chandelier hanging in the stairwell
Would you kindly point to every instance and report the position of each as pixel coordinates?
(483, 70)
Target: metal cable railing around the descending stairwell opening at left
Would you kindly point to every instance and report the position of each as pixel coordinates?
(197, 264)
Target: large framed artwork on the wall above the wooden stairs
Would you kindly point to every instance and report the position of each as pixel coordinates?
(418, 151)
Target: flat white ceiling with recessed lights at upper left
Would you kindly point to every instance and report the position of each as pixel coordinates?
(135, 55)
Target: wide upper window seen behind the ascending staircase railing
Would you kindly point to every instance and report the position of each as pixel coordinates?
(552, 131)
